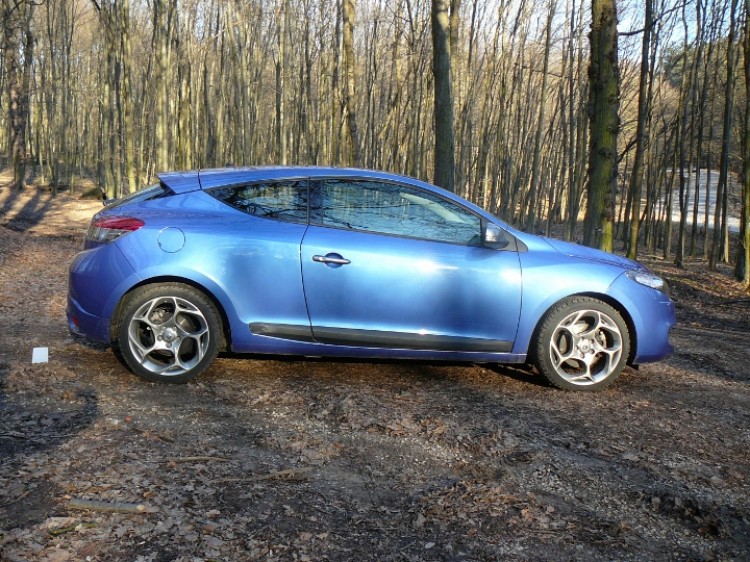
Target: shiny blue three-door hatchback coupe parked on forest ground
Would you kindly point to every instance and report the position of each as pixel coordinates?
(333, 262)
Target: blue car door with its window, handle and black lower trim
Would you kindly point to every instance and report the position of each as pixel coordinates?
(392, 265)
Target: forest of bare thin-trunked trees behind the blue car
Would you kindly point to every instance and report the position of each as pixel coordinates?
(541, 111)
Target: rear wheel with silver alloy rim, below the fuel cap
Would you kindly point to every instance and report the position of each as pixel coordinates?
(168, 332)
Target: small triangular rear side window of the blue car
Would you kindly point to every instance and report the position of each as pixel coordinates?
(280, 200)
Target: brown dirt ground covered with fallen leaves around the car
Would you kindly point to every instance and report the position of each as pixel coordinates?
(265, 459)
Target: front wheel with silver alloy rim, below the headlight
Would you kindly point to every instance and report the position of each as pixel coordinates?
(581, 344)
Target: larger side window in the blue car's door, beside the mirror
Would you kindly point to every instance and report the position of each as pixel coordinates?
(400, 210)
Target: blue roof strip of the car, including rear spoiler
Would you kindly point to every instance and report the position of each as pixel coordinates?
(181, 182)
